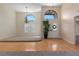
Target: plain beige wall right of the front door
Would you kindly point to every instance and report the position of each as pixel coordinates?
(68, 12)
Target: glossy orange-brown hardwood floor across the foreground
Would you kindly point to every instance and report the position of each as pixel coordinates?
(44, 45)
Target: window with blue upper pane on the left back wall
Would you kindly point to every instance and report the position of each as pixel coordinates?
(30, 24)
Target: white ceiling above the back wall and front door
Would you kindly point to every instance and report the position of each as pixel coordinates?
(29, 7)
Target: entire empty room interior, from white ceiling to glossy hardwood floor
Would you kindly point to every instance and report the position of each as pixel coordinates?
(39, 27)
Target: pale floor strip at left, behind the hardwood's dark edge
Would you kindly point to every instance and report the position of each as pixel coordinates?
(21, 38)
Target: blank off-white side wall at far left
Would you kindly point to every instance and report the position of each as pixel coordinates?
(7, 22)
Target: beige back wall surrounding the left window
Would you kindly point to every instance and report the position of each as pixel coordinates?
(20, 17)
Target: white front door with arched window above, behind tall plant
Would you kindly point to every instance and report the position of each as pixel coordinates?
(52, 17)
